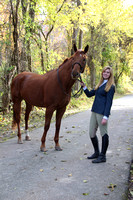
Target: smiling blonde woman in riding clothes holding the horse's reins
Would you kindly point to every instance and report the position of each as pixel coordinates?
(103, 93)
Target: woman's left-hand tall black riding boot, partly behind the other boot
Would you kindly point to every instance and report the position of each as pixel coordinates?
(96, 148)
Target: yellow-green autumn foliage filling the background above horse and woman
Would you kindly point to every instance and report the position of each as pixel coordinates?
(47, 27)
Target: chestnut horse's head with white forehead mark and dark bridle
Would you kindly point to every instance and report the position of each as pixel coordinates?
(78, 61)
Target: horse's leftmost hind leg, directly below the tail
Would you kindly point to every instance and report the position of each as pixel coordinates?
(16, 113)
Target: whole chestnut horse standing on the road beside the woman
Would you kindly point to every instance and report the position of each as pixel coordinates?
(51, 90)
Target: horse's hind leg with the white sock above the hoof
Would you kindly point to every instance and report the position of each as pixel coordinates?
(27, 112)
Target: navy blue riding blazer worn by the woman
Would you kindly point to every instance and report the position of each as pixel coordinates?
(103, 100)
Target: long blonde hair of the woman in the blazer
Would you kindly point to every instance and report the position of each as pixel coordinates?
(110, 80)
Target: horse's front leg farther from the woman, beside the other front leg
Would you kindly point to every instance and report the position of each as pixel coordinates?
(48, 116)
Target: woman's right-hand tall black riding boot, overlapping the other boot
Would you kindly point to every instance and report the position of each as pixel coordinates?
(102, 155)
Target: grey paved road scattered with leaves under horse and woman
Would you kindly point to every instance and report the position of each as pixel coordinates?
(28, 174)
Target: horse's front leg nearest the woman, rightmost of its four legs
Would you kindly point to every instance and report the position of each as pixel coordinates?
(59, 115)
